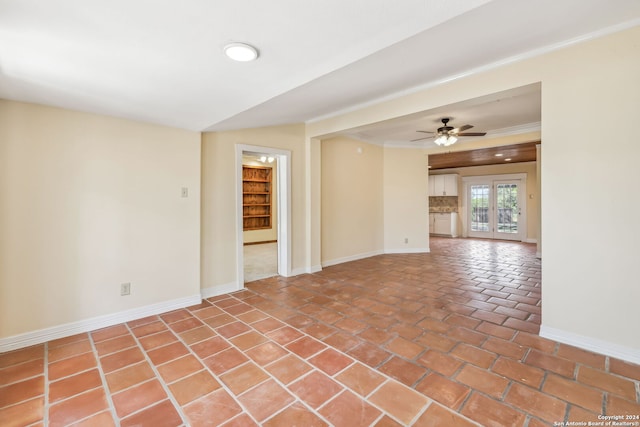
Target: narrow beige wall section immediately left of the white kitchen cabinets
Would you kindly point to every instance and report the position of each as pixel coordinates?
(406, 207)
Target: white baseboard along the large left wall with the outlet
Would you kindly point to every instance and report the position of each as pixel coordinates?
(68, 329)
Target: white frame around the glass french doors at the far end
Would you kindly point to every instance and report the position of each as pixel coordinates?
(521, 178)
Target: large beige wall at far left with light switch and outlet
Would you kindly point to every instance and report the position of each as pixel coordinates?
(88, 202)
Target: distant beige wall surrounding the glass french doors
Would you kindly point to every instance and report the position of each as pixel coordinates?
(531, 198)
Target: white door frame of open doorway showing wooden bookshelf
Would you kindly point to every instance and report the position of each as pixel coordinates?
(283, 200)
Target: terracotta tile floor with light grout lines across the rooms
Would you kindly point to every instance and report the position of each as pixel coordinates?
(441, 339)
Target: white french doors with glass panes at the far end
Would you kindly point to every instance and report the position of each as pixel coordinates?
(495, 209)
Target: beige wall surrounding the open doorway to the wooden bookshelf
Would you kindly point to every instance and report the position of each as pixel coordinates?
(219, 228)
